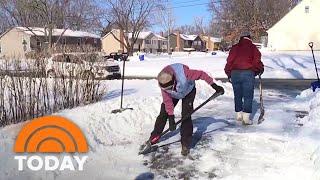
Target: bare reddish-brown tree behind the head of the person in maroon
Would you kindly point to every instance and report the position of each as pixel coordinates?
(256, 16)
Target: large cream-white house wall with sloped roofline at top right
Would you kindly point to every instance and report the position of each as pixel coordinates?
(297, 28)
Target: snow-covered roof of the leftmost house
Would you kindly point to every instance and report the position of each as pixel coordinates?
(56, 32)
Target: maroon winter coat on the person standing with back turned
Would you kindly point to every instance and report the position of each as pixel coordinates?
(244, 56)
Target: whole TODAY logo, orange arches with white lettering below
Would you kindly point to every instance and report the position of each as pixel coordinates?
(50, 134)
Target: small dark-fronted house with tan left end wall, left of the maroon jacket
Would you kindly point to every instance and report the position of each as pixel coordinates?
(184, 42)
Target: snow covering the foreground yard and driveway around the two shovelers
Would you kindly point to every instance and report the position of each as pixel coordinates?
(285, 146)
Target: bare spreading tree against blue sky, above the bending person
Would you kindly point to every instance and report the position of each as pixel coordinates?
(131, 17)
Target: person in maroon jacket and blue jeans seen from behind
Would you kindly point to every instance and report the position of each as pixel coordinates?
(243, 64)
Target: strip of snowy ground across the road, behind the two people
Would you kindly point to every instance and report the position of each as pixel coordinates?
(282, 65)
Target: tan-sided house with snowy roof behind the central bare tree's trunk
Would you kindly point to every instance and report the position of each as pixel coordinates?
(146, 42)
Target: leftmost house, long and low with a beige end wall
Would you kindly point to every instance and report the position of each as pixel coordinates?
(19, 41)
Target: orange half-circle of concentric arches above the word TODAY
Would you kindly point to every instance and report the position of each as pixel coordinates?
(50, 134)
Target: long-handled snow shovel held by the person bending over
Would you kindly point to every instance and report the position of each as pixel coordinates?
(147, 147)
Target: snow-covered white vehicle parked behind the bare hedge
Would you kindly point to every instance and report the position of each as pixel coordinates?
(82, 65)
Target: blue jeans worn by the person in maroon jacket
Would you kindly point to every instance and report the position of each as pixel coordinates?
(243, 88)
